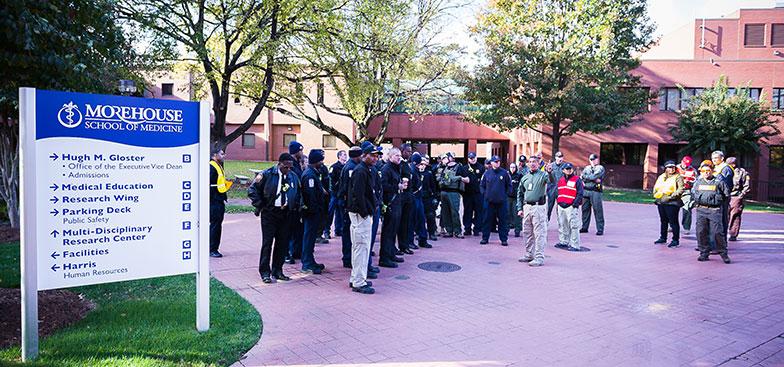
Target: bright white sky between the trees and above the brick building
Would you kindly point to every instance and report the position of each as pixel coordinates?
(667, 14)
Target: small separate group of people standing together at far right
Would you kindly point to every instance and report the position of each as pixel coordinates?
(716, 191)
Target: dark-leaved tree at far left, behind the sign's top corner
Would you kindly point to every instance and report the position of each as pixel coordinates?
(75, 46)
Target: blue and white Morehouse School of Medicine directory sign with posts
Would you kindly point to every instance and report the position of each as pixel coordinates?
(113, 188)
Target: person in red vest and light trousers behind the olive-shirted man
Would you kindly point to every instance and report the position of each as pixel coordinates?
(570, 193)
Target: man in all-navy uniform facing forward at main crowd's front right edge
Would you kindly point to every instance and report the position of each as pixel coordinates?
(496, 185)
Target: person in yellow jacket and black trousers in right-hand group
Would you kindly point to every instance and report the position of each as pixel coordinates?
(667, 195)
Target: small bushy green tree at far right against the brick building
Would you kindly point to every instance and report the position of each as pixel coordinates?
(719, 120)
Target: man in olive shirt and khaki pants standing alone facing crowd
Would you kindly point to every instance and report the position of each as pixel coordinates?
(532, 206)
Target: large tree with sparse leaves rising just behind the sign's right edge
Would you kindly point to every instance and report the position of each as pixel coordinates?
(237, 47)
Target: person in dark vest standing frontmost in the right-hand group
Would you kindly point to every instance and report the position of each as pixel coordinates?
(709, 193)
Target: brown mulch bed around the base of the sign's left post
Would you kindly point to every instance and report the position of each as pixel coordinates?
(56, 309)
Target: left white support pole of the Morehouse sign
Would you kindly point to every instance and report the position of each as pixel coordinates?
(29, 248)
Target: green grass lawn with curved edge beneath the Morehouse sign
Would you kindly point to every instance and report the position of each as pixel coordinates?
(148, 322)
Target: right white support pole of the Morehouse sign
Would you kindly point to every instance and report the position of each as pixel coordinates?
(203, 269)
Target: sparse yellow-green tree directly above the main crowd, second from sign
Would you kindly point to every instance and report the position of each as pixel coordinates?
(378, 57)
